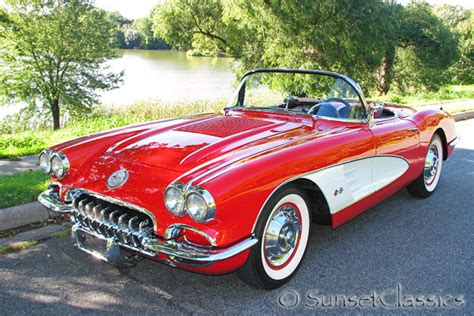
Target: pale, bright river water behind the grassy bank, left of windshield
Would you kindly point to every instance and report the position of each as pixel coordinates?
(163, 75)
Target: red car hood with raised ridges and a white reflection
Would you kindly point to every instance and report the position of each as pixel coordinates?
(185, 146)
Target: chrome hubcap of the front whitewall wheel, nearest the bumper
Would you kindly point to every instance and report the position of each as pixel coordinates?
(282, 234)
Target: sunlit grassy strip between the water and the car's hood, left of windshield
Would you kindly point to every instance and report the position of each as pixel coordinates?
(17, 141)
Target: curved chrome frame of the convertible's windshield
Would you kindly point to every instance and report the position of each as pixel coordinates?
(348, 80)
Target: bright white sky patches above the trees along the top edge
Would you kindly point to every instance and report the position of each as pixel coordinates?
(134, 9)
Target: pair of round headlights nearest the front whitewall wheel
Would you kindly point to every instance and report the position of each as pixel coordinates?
(196, 202)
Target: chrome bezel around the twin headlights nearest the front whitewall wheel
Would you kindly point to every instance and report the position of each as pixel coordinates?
(188, 191)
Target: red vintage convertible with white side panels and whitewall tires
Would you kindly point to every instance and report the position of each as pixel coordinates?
(237, 191)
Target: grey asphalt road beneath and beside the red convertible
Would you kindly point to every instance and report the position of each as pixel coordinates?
(420, 251)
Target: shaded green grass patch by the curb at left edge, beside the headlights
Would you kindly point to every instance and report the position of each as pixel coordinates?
(22, 188)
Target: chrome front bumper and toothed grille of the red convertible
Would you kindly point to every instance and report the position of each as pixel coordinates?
(90, 219)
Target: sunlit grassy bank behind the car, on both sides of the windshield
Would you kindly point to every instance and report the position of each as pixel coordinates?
(17, 140)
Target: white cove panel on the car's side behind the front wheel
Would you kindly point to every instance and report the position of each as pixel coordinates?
(349, 182)
